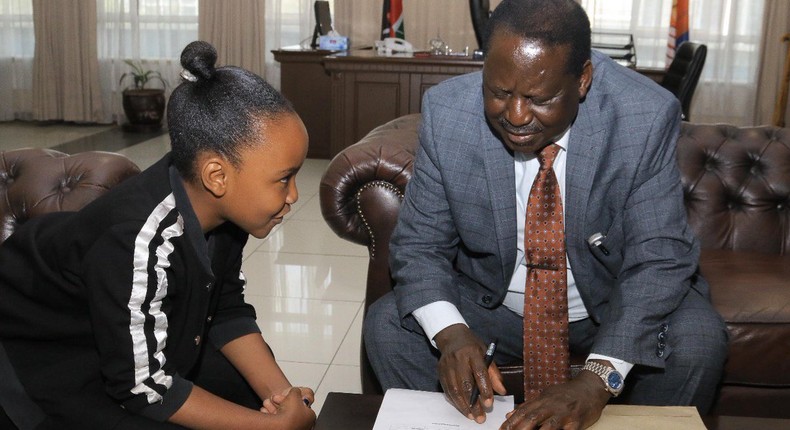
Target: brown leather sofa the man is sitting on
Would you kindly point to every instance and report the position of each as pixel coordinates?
(737, 193)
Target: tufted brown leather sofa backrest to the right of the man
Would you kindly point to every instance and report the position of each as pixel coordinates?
(736, 183)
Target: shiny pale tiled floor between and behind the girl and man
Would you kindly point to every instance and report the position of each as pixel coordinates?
(306, 284)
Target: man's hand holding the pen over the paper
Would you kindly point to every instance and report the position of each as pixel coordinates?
(462, 366)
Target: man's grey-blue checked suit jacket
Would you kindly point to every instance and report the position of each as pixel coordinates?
(457, 224)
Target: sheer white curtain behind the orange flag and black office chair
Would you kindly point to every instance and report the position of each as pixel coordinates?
(731, 29)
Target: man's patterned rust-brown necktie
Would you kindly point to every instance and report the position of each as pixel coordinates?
(545, 295)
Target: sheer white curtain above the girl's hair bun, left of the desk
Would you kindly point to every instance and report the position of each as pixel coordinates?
(289, 23)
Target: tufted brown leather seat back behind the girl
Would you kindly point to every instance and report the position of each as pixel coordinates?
(38, 181)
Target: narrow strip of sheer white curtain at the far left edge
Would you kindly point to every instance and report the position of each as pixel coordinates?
(17, 45)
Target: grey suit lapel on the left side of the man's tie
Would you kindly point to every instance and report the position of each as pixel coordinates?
(501, 180)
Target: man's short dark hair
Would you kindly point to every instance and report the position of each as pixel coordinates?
(554, 22)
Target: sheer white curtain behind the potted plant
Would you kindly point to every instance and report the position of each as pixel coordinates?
(151, 31)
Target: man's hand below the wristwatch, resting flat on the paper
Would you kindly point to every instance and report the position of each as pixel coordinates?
(574, 405)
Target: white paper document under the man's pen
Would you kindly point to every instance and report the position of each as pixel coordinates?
(422, 410)
